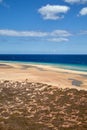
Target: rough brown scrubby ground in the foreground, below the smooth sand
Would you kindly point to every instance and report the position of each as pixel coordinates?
(37, 106)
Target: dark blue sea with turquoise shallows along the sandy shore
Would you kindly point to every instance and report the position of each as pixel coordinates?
(73, 62)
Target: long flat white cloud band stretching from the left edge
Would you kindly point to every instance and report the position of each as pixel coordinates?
(55, 33)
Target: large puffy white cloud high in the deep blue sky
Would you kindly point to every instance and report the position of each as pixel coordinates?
(53, 12)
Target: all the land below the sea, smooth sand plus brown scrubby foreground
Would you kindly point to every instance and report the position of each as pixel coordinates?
(41, 97)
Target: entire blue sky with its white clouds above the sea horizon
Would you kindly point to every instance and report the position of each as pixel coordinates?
(43, 26)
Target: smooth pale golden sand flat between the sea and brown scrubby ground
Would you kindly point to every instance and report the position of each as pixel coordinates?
(43, 74)
